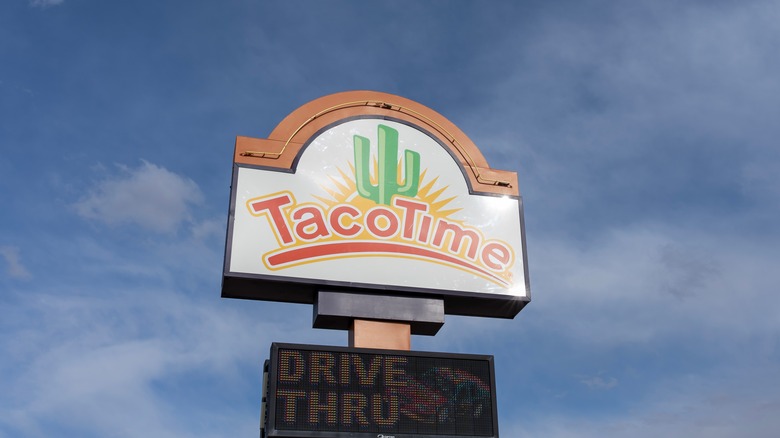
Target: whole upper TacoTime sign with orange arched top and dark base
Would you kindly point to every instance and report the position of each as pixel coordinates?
(356, 192)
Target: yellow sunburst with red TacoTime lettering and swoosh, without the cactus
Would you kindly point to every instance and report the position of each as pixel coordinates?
(344, 224)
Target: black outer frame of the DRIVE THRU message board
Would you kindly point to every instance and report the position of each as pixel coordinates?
(272, 431)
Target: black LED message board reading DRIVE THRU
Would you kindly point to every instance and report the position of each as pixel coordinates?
(363, 393)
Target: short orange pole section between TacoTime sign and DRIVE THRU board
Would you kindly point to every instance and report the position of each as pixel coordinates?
(380, 334)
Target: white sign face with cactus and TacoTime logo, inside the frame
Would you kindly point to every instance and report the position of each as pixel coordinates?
(376, 203)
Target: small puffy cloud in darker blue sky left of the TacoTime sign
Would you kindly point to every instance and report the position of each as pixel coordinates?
(149, 196)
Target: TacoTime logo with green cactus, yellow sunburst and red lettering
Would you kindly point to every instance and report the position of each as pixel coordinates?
(392, 211)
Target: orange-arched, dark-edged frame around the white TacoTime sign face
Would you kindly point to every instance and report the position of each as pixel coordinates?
(282, 151)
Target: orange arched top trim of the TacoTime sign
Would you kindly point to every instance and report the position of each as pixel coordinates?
(284, 144)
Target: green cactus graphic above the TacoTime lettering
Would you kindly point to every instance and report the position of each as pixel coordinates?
(387, 177)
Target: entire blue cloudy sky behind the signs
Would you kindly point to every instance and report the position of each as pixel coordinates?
(645, 136)
